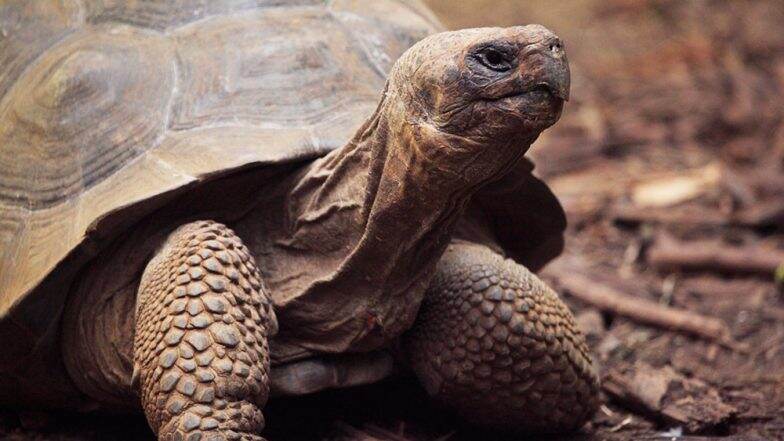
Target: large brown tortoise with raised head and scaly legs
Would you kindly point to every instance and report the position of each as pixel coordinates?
(203, 204)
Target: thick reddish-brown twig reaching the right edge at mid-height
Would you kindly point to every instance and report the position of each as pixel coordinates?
(670, 254)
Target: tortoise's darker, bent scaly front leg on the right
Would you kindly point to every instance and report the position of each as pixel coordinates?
(496, 344)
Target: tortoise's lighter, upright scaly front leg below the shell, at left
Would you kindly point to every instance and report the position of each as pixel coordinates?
(200, 346)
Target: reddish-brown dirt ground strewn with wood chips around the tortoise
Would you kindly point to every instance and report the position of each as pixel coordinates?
(670, 163)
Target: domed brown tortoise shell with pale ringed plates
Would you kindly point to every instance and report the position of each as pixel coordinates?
(108, 109)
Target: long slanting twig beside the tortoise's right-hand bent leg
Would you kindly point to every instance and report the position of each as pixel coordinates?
(607, 298)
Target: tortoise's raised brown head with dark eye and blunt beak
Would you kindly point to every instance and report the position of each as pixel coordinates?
(483, 95)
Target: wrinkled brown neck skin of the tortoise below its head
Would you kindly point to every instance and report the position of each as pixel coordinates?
(365, 226)
